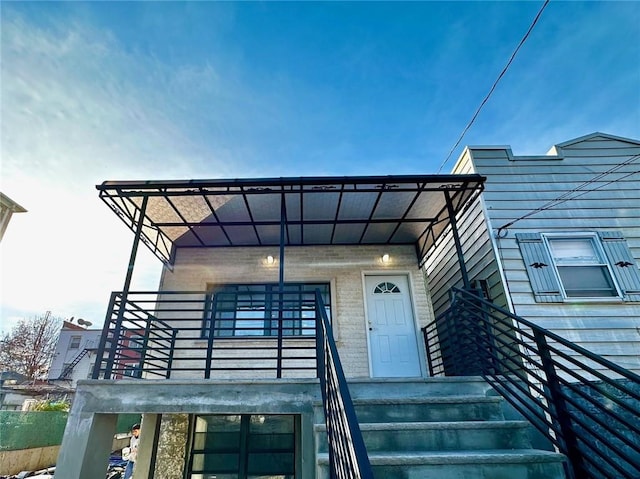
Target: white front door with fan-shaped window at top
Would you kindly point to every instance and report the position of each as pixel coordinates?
(393, 342)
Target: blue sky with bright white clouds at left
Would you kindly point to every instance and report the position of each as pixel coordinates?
(157, 90)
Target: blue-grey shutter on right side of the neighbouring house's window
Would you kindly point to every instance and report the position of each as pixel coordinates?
(623, 264)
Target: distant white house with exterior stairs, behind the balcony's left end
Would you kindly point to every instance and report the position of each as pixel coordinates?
(75, 353)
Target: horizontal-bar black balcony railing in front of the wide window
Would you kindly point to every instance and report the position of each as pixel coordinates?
(189, 334)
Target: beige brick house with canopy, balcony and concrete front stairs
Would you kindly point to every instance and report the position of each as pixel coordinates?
(271, 283)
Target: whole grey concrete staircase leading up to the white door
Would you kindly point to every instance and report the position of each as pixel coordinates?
(440, 428)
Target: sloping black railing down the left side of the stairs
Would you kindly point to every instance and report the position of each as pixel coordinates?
(348, 457)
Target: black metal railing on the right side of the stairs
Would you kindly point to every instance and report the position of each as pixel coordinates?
(587, 406)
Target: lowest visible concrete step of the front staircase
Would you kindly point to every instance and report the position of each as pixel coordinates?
(492, 464)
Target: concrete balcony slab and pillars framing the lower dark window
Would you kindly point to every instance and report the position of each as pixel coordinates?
(98, 402)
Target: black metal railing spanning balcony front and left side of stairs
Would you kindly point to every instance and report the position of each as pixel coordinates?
(151, 335)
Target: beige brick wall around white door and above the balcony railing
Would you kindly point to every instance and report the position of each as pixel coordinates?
(343, 266)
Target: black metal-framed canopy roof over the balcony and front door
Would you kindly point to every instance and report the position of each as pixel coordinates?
(381, 210)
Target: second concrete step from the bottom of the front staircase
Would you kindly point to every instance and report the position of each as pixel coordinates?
(438, 436)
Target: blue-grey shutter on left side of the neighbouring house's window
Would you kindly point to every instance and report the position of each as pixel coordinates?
(544, 283)
